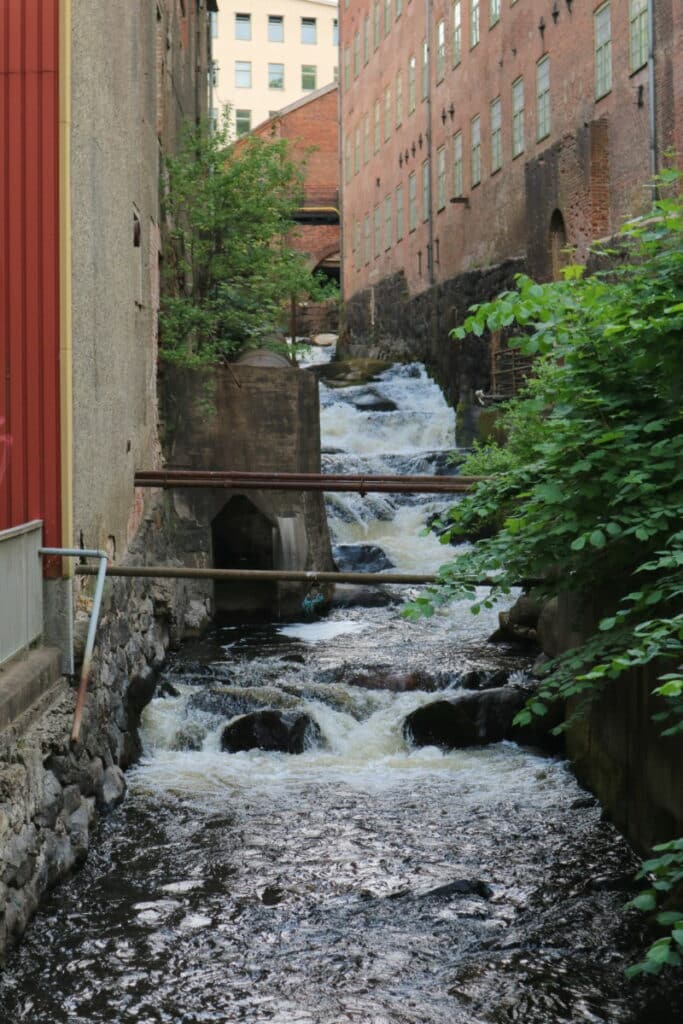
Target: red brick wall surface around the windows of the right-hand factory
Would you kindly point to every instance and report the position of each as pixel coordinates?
(592, 166)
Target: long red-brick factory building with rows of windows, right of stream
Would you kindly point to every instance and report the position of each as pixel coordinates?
(483, 137)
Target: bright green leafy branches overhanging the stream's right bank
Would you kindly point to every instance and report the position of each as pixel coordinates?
(591, 495)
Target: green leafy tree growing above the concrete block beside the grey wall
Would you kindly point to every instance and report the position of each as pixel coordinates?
(230, 266)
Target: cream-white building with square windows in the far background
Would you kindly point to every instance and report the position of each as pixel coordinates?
(269, 54)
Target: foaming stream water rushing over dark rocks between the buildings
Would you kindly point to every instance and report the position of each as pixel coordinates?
(362, 881)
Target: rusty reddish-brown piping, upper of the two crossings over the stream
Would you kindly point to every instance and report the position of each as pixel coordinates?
(362, 484)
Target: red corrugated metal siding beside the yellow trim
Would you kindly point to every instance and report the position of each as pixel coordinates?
(30, 473)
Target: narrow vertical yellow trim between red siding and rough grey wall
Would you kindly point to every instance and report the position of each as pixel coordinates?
(66, 350)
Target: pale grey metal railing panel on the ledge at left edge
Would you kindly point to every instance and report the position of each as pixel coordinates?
(21, 588)
